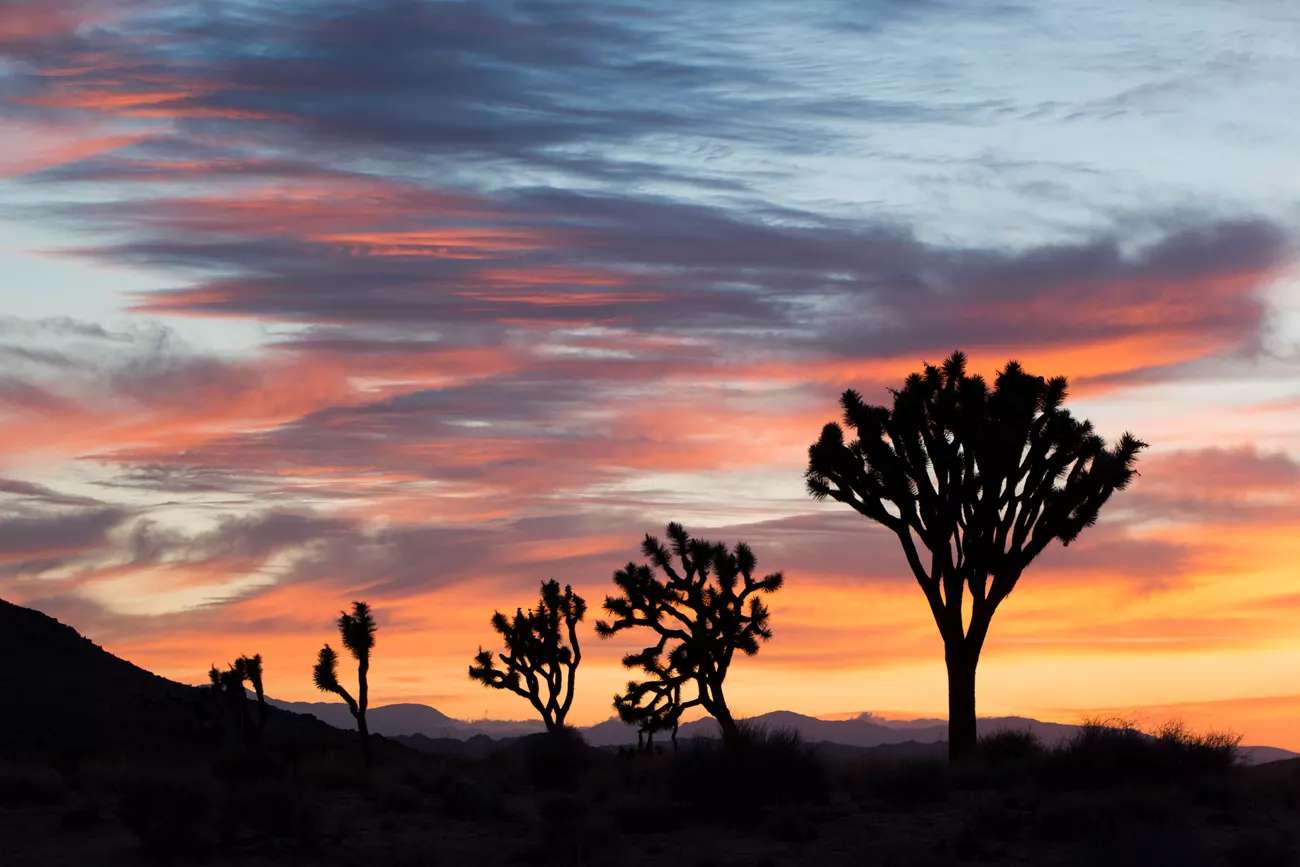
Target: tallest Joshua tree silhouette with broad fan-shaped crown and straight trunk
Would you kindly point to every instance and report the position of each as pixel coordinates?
(980, 479)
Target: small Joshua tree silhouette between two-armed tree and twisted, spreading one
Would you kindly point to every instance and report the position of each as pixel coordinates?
(538, 662)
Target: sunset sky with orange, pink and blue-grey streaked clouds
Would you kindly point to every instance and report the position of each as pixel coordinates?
(423, 302)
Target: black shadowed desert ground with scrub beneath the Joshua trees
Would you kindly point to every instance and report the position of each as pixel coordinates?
(1110, 799)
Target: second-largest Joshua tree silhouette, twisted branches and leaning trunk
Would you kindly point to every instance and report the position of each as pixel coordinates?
(703, 612)
